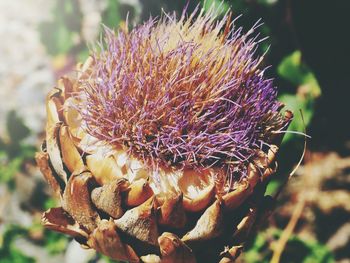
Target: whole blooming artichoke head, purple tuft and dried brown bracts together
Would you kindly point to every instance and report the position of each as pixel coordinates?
(164, 141)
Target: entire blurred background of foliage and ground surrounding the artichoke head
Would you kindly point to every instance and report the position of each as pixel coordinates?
(41, 40)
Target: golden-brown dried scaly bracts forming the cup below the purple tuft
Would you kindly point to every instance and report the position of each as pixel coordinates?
(111, 203)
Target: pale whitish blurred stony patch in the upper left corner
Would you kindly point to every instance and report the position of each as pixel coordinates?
(25, 71)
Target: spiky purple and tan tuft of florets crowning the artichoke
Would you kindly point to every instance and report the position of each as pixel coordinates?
(189, 103)
